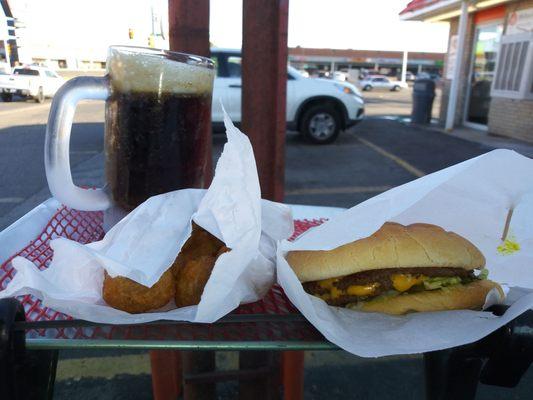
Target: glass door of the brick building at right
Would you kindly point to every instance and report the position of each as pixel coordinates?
(485, 53)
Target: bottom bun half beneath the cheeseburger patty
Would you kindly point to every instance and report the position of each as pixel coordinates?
(458, 297)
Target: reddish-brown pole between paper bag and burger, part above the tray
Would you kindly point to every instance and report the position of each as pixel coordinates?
(264, 87)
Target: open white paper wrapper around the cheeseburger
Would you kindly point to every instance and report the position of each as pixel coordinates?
(472, 199)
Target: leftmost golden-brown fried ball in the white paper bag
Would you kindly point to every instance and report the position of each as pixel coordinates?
(127, 295)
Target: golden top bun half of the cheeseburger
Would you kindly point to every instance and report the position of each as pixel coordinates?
(392, 246)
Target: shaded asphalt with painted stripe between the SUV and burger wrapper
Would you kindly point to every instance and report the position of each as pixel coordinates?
(370, 158)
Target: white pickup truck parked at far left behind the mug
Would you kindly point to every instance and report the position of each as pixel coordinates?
(30, 82)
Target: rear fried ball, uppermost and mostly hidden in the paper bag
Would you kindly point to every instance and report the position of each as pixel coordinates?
(201, 243)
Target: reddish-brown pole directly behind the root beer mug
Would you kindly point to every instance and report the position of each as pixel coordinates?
(189, 33)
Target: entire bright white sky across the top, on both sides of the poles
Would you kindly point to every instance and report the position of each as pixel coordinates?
(84, 29)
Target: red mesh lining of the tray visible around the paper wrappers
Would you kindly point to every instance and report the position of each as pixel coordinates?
(273, 318)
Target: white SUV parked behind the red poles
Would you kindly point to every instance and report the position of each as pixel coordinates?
(317, 108)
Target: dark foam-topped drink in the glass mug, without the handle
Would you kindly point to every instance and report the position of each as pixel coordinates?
(157, 123)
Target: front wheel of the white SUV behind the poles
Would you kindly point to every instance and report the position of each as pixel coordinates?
(321, 124)
